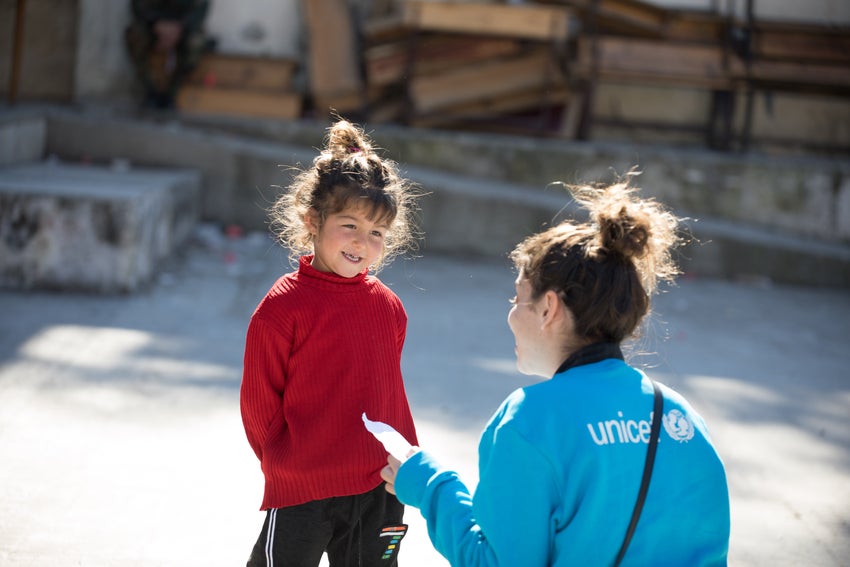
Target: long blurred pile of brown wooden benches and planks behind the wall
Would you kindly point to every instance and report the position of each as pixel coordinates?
(561, 67)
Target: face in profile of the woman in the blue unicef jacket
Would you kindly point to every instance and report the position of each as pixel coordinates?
(525, 322)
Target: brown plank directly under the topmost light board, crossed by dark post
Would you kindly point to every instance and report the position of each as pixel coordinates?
(387, 64)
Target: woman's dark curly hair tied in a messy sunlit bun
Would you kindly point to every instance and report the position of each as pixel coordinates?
(607, 268)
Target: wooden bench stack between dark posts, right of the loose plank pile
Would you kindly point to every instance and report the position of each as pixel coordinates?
(669, 54)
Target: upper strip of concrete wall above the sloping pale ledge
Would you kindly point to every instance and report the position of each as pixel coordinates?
(805, 196)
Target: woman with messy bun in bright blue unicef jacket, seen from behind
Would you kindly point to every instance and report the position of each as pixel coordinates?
(562, 461)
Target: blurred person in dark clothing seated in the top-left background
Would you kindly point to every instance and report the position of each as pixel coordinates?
(165, 41)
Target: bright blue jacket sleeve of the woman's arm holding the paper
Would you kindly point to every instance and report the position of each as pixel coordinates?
(507, 523)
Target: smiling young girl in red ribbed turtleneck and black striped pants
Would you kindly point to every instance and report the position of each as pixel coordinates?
(323, 347)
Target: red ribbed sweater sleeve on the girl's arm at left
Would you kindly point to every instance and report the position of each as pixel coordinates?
(263, 380)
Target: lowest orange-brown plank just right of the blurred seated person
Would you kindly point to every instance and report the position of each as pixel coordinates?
(242, 102)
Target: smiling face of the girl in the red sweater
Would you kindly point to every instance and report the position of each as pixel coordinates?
(347, 243)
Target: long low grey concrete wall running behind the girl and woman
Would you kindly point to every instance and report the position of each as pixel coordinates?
(783, 219)
